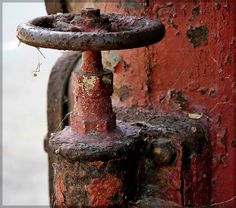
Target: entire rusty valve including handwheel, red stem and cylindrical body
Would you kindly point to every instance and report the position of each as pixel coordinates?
(95, 159)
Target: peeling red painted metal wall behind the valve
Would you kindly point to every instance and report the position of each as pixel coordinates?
(192, 70)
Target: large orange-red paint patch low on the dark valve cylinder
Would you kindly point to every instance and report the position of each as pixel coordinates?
(102, 189)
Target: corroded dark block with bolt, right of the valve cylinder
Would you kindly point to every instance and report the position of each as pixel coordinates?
(182, 168)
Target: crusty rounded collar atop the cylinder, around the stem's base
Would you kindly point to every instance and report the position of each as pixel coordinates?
(72, 145)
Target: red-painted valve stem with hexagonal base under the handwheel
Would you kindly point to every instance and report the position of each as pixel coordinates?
(92, 90)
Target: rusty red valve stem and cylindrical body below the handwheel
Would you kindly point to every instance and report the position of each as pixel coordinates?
(93, 160)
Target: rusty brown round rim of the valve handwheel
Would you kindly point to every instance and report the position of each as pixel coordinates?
(32, 34)
